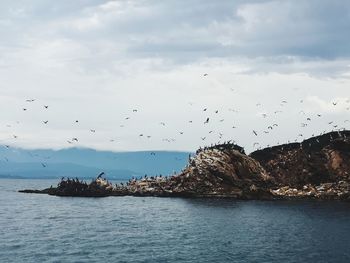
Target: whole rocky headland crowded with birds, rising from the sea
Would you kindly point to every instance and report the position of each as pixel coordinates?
(317, 168)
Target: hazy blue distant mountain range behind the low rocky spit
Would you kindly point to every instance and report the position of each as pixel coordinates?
(82, 162)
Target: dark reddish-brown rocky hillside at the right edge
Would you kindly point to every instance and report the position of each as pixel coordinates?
(317, 160)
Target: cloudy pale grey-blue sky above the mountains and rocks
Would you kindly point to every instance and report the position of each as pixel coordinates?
(146, 75)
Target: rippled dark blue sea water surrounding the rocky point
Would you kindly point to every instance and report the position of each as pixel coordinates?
(42, 228)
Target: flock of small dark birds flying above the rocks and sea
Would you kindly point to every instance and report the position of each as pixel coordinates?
(307, 120)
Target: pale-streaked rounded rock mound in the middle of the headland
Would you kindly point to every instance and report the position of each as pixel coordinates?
(223, 172)
